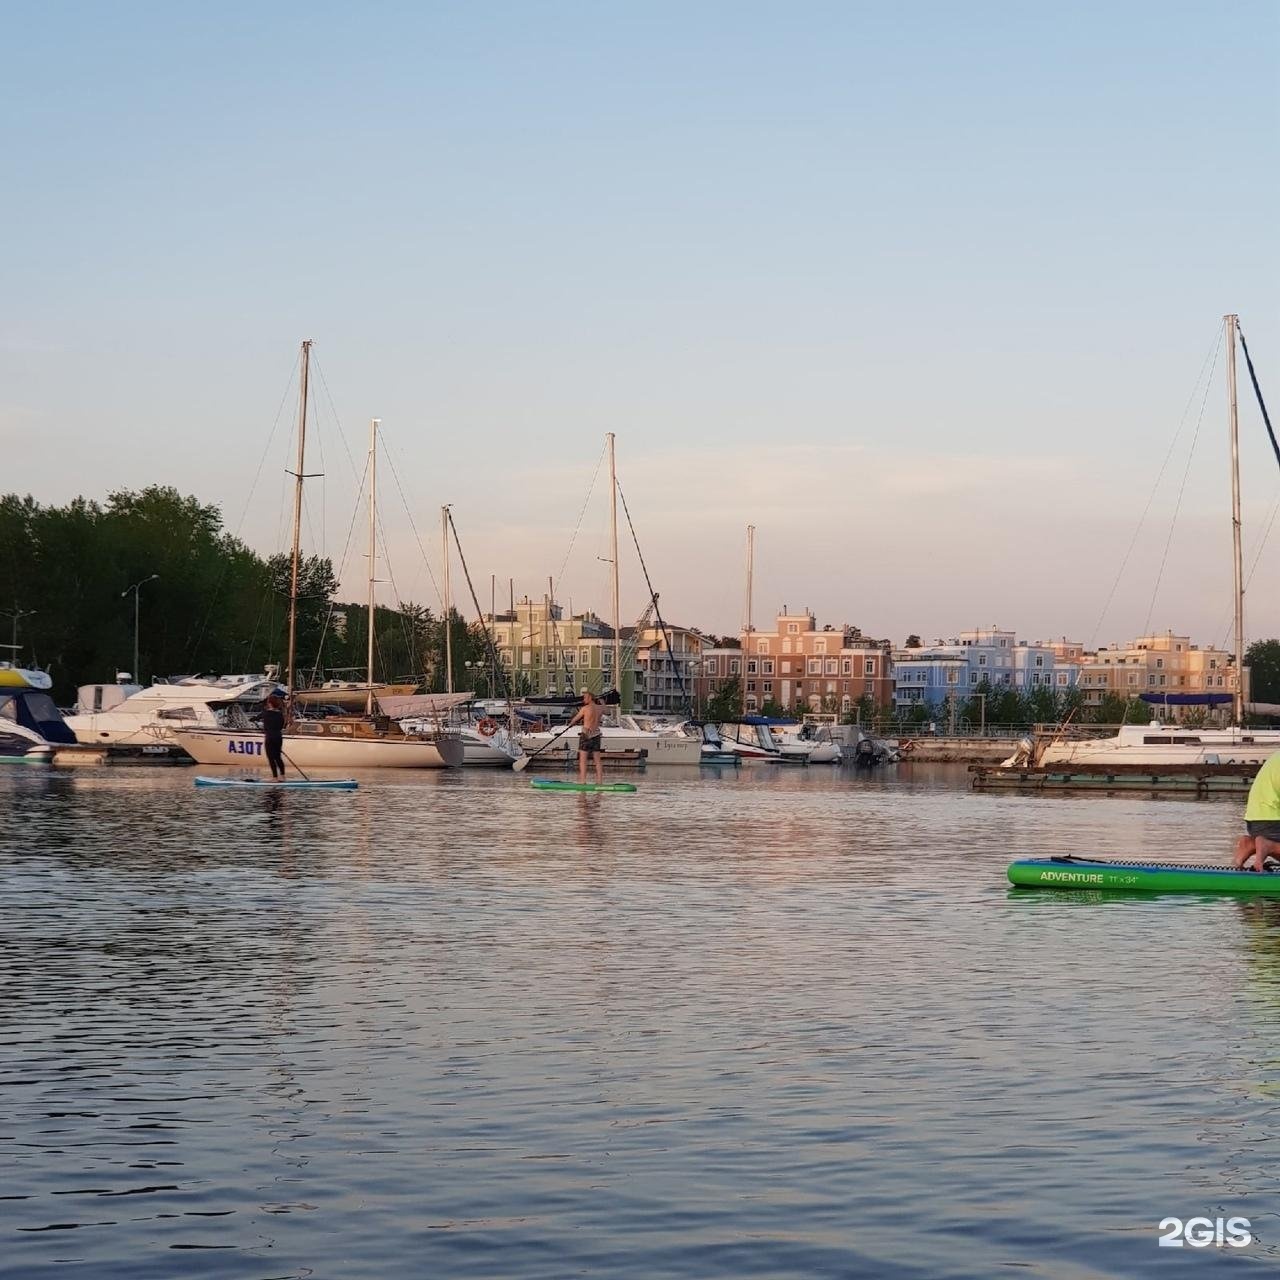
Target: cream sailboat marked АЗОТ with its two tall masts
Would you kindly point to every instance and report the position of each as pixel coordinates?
(340, 743)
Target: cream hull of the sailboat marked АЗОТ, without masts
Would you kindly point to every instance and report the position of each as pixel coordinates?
(317, 752)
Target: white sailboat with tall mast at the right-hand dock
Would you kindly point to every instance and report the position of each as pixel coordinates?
(1159, 744)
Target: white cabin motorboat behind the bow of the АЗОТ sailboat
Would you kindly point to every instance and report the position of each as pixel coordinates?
(127, 719)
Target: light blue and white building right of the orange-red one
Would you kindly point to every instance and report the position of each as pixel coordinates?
(957, 669)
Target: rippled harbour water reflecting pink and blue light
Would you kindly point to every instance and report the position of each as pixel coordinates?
(785, 1025)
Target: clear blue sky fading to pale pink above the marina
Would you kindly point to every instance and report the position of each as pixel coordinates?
(929, 295)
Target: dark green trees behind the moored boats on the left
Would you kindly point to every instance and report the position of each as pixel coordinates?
(207, 602)
